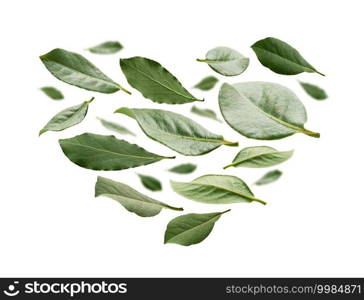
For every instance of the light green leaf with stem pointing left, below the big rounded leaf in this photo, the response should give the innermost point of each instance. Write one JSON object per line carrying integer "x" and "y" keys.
{"x": 259, "y": 157}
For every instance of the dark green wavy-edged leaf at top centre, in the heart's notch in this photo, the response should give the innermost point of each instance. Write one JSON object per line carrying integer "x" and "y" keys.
{"x": 154, "y": 81}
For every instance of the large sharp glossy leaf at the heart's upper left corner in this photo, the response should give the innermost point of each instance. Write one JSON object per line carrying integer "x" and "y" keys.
{"x": 76, "y": 70}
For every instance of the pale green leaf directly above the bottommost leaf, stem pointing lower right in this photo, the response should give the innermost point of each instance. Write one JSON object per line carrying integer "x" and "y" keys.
{"x": 215, "y": 189}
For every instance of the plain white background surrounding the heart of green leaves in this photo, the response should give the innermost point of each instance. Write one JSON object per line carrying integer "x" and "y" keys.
{"x": 50, "y": 222}
